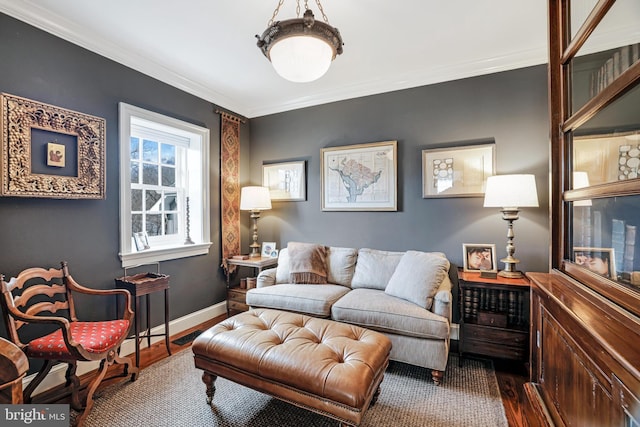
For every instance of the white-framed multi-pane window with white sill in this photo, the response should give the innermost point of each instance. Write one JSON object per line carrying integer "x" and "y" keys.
{"x": 164, "y": 187}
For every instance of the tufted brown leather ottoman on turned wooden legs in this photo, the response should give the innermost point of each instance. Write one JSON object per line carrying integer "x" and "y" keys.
{"x": 324, "y": 366}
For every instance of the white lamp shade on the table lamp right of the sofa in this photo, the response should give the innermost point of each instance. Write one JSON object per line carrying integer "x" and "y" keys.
{"x": 511, "y": 191}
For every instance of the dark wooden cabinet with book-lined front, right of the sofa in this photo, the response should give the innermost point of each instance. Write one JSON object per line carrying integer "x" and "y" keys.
{"x": 494, "y": 316}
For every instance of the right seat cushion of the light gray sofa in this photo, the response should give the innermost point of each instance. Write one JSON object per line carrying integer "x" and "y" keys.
{"x": 376, "y": 310}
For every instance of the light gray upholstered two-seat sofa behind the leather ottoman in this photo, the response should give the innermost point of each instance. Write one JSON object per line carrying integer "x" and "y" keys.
{"x": 405, "y": 295}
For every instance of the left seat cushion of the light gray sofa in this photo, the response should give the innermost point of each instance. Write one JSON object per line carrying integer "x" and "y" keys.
{"x": 315, "y": 300}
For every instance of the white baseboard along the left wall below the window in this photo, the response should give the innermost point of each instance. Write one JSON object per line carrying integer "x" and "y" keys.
{"x": 56, "y": 375}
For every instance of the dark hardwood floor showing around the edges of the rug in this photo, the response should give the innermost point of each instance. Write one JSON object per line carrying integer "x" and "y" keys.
{"x": 511, "y": 376}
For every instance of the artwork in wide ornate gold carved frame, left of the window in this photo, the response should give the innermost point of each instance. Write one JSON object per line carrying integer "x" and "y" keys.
{"x": 49, "y": 151}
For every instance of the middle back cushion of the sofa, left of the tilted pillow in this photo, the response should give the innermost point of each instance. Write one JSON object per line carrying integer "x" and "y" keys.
{"x": 374, "y": 268}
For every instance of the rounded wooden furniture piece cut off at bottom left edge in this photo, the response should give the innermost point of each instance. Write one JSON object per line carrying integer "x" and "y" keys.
{"x": 13, "y": 367}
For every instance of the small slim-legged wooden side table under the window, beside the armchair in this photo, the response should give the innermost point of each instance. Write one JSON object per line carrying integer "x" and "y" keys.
{"x": 140, "y": 285}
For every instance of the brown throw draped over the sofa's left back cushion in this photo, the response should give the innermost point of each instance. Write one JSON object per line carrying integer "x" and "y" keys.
{"x": 307, "y": 263}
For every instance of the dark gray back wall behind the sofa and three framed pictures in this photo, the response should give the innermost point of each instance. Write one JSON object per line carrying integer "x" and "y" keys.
{"x": 508, "y": 107}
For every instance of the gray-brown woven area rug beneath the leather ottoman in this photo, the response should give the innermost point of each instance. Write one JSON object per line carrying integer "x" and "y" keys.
{"x": 171, "y": 393}
